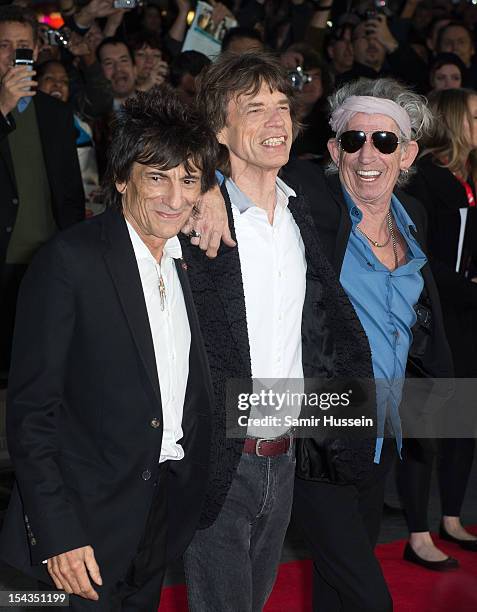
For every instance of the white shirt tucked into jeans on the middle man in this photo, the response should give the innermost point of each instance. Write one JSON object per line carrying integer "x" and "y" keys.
{"x": 272, "y": 259}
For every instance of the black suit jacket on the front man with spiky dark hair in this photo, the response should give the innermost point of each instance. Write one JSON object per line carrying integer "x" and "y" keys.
{"x": 83, "y": 393}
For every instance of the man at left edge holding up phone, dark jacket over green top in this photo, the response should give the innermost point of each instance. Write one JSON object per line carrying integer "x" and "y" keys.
{"x": 39, "y": 172}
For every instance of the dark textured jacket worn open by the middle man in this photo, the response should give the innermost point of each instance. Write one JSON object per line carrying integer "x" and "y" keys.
{"x": 334, "y": 342}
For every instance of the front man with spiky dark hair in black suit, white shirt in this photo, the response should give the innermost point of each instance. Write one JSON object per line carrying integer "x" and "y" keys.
{"x": 109, "y": 392}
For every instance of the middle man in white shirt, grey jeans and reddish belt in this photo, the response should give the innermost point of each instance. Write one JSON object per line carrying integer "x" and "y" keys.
{"x": 250, "y": 303}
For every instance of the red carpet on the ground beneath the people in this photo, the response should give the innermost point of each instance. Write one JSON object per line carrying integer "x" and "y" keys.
{"x": 413, "y": 589}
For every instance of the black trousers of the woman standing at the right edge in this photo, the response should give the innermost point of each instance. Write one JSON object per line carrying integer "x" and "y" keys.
{"x": 454, "y": 464}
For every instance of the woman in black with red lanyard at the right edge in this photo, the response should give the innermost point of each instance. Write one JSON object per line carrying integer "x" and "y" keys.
{"x": 445, "y": 184}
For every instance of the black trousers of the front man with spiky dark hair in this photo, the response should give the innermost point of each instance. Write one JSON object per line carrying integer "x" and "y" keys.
{"x": 140, "y": 590}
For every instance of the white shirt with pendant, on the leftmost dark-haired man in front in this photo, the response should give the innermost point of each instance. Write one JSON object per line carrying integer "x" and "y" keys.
{"x": 170, "y": 335}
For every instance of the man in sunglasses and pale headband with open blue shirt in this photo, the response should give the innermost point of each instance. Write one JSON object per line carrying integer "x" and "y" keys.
{"x": 374, "y": 235}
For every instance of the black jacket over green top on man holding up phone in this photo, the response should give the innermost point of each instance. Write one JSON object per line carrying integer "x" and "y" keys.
{"x": 58, "y": 137}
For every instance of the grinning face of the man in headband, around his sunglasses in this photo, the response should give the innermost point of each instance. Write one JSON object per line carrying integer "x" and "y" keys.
{"x": 369, "y": 175}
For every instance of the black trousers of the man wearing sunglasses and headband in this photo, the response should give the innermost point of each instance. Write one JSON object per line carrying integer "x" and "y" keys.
{"x": 341, "y": 526}
